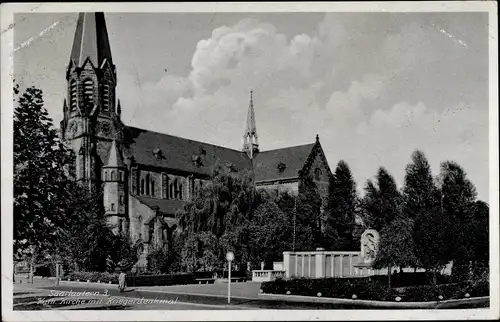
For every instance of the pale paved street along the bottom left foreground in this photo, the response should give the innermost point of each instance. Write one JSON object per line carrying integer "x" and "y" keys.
{"x": 181, "y": 297}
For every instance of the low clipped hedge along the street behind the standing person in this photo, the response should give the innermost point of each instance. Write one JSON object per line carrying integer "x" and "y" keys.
{"x": 133, "y": 280}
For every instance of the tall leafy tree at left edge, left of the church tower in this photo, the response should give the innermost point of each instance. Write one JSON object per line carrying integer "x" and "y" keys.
{"x": 39, "y": 178}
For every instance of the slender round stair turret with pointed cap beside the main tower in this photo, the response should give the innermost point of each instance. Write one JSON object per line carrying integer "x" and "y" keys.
{"x": 114, "y": 194}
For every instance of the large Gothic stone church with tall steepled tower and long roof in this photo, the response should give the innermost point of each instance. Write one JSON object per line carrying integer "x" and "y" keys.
{"x": 146, "y": 176}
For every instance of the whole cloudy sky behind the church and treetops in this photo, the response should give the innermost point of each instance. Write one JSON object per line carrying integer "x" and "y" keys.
{"x": 374, "y": 86}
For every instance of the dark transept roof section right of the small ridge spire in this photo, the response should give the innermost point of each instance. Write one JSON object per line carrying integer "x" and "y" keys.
{"x": 281, "y": 164}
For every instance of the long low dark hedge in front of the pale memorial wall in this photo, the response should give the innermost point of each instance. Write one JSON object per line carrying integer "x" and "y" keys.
{"x": 371, "y": 289}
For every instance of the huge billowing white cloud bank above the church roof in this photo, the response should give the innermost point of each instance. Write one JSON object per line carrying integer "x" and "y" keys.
{"x": 371, "y": 108}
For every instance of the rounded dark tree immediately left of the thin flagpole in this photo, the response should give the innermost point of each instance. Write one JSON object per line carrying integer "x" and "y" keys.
{"x": 270, "y": 233}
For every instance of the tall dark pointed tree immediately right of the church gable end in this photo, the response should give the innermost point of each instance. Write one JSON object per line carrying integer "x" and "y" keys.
{"x": 341, "y": 210}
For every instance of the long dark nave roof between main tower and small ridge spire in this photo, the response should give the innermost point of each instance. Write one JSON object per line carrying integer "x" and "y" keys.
{"x": 172, "y": 152}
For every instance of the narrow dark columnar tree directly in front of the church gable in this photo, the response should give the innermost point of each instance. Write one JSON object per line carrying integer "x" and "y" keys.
{"x": 307, "y": 219}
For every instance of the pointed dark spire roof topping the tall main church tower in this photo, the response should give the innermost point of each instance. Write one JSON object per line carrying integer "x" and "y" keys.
{"x": 91, "y": 40}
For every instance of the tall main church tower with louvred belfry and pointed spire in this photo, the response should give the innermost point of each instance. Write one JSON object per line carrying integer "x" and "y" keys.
{"x": 91, "y": 118}
